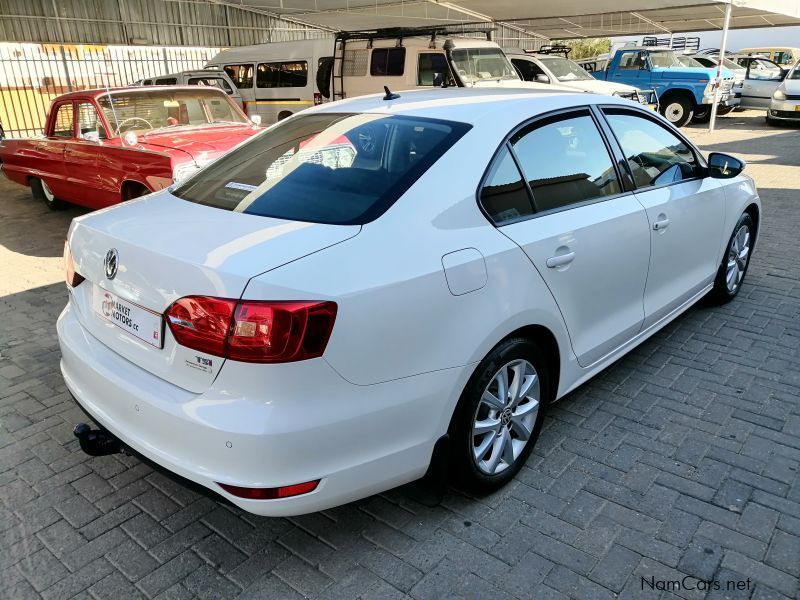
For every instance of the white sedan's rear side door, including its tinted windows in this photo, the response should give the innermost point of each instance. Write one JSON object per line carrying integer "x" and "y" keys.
{"x": 587, "y": 238}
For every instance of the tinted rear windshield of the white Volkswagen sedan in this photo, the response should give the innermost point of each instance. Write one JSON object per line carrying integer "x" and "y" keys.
{"x": 344, "y": 169}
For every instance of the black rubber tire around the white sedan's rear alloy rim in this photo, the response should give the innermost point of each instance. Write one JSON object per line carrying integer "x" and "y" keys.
{"x": 466, "y": 470}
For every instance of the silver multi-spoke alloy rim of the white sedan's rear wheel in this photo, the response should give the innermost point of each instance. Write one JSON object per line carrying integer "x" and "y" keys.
{"x": 505, "y": 417}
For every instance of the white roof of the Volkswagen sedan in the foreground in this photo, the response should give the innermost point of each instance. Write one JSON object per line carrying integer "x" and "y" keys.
{"x": 470, "y": 105}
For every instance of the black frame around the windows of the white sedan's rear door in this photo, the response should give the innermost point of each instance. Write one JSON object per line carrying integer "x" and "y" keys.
{"x": 527, "y": 126}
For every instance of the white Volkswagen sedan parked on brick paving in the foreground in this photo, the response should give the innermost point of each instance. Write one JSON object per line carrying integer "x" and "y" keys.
{"x": 301, "y": 323}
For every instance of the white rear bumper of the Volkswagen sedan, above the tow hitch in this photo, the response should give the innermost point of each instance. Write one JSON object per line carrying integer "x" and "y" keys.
{"x": 265, "y": 425}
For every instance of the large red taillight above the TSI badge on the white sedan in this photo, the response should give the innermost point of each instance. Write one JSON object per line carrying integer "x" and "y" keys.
{"x": 252, "y": 331}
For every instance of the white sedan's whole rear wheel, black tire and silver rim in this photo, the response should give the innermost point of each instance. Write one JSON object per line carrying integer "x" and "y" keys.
{"x": 499, "y": 416}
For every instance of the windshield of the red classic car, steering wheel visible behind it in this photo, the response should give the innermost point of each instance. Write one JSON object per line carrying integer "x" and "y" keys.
{"x": 145, "y": 111}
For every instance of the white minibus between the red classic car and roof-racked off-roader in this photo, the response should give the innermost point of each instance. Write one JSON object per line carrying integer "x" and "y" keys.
{"x": 276, "y": 80}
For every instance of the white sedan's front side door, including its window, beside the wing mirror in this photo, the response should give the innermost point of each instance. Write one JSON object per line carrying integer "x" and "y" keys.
{"x": 685, "y": 209}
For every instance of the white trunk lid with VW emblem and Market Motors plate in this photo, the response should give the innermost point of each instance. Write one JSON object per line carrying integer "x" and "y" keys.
{"x": 168, "y": 248}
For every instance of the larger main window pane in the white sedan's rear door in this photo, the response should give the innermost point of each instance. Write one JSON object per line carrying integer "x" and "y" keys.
{"x": 566, "y": 162}
